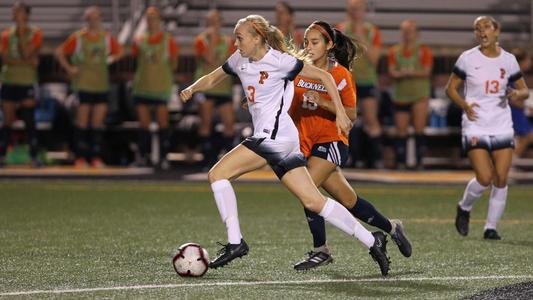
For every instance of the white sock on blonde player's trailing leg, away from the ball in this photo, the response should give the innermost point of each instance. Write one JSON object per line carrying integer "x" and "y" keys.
{"x": 338, "y": 216}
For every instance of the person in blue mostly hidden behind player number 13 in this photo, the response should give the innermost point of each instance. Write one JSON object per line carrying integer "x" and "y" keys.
{"x": 521, "y": 123}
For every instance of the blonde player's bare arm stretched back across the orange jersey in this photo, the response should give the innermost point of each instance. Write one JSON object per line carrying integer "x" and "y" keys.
{"x": 342, "y": 120}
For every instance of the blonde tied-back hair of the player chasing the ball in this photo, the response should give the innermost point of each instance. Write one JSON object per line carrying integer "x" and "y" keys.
{"x": 271, "y": 35}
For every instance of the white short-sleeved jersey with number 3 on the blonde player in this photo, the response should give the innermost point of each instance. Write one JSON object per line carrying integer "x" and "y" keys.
{"x": 269, "y": 89}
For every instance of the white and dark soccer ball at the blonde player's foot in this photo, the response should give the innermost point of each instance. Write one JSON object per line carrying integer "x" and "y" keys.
{"x": 191, "y": 260}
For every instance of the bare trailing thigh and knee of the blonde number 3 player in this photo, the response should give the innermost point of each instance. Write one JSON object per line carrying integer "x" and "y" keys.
{"x": 299, "y": 182}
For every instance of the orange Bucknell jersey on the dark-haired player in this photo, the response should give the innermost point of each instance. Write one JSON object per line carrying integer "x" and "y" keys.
{"x": 317, "y": 125}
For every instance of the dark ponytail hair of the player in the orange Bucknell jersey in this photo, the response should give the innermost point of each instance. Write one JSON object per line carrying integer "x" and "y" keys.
{"x": 345, "y": 49}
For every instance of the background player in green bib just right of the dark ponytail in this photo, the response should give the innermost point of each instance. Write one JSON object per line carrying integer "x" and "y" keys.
{"x": 366, "y": 78}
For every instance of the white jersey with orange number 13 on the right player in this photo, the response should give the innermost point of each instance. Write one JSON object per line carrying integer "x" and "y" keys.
{"x": 486, "y": 81}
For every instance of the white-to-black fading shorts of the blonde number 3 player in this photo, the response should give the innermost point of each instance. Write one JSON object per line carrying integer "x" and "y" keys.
{"x": 282, "y": 156}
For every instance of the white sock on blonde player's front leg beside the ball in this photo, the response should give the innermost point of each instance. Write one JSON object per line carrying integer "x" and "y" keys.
{"x": 227, "y": 207}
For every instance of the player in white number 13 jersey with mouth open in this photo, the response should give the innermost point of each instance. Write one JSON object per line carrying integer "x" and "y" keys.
{"x": 487, "y": 127}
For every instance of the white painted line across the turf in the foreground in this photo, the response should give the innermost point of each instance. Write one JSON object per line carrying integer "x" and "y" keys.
{"x": 258, "y": 283}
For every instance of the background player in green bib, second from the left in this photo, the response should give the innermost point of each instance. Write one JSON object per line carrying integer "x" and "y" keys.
{"x": 91, "y": 50}
